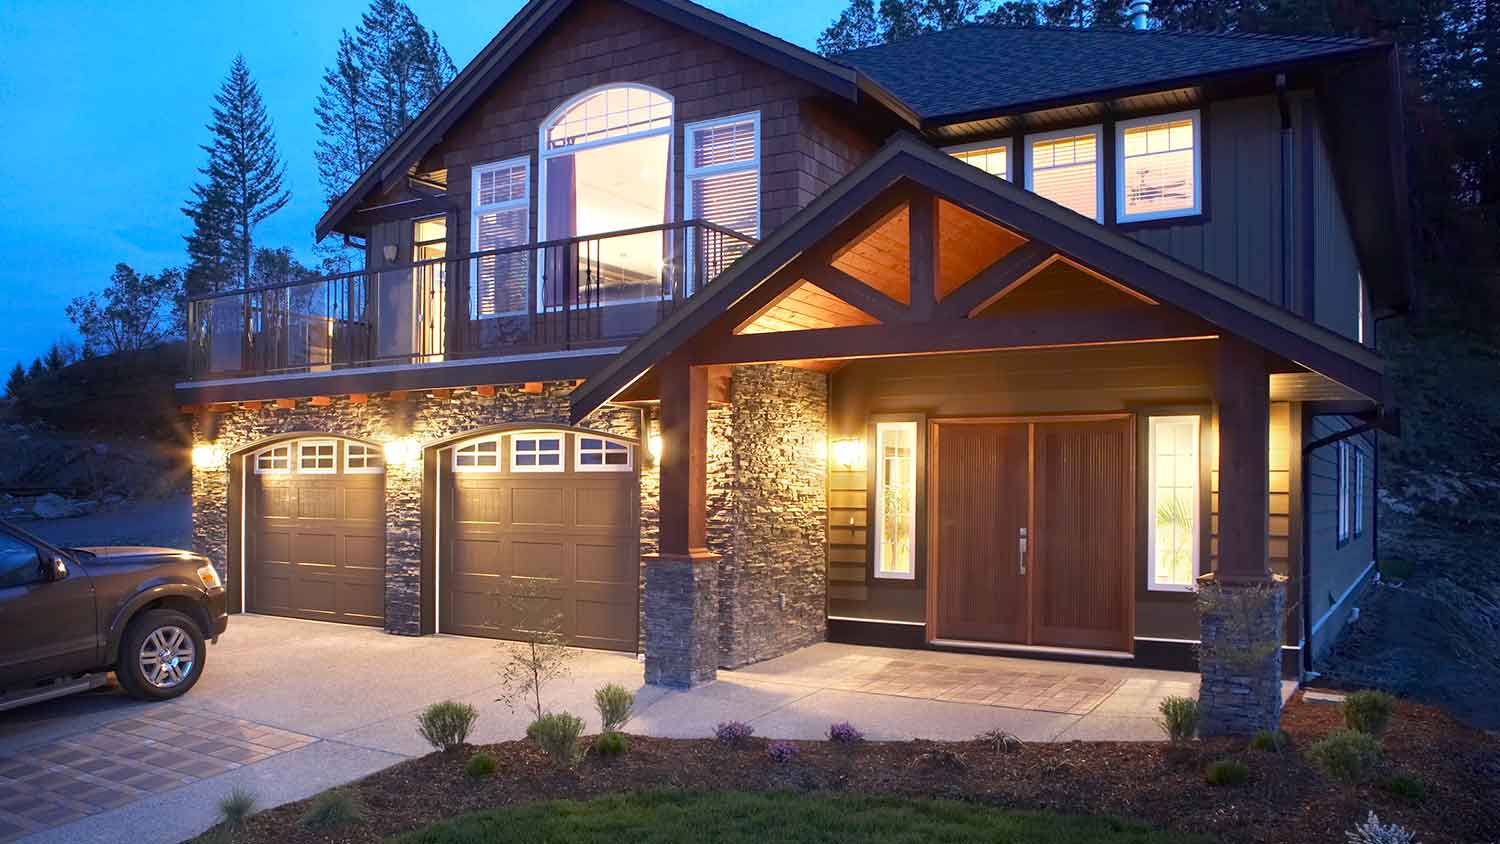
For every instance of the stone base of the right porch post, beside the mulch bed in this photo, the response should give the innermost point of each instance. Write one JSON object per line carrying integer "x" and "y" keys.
{"x": 1241, "y": 656}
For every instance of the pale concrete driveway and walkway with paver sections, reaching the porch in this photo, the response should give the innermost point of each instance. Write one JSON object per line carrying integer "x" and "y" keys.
{"x": 289, "y": 708}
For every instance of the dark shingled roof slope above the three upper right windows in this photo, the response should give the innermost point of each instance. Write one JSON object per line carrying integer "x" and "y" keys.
{"x": 985, "y": 70}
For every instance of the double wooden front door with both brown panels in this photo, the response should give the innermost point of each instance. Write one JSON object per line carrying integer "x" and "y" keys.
{"x": 1033, "y": 531}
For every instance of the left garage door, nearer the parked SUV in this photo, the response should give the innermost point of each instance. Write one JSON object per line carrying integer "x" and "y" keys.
{"x": 317, "y": 531}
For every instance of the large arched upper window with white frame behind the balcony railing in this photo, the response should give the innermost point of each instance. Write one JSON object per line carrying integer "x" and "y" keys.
{"x": 607, "y": 167}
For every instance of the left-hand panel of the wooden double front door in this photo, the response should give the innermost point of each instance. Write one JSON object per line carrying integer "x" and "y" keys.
{"x": 982, "y": 506}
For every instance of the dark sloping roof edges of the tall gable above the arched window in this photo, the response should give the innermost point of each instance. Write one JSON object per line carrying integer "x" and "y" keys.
{"x": 530, "y": 23}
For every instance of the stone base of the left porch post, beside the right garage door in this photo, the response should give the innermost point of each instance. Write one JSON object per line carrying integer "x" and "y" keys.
{"x": 682, "y": 626}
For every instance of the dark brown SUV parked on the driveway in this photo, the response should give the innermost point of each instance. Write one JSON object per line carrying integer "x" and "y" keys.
{"x": 68, "y": 617}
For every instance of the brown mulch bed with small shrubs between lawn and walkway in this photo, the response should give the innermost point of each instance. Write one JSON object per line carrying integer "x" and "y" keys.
{"x": 1285, "y": 801}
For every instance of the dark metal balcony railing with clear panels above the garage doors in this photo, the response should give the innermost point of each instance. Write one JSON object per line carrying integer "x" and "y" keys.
{"x": 581, "y": 293}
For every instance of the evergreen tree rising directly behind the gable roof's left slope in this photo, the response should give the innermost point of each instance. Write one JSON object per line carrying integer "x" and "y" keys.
{"x": 382, "y": 79}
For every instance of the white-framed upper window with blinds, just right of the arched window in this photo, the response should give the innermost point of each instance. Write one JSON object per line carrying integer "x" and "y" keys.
{"x": 724, "y": 185}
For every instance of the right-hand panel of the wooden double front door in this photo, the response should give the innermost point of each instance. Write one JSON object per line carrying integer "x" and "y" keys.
{"x": 1085, "y": 539}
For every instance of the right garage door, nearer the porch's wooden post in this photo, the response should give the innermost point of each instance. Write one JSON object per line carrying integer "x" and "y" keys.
{"x": 542, "y": 533}
